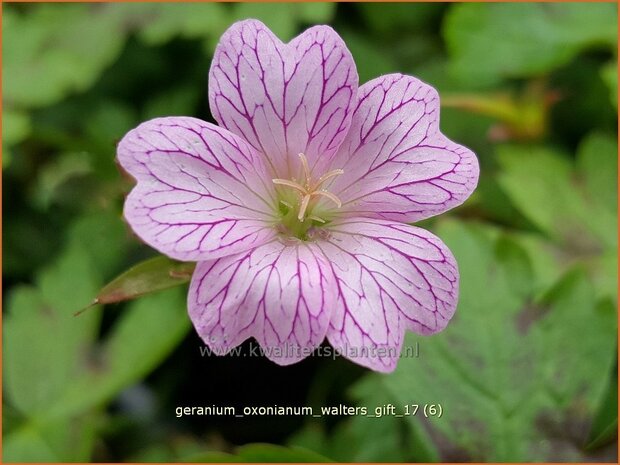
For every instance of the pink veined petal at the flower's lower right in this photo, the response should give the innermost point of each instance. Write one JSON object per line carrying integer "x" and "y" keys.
{"x": 390, "y": 277}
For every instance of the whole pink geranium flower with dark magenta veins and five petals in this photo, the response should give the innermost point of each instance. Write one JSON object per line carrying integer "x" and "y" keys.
{"x": 296, "y": 207}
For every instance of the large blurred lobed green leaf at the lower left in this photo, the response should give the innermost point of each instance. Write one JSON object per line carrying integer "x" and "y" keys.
{"x": 55, "y": 376}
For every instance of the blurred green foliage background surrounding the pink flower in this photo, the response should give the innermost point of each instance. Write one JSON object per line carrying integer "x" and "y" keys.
{"x": 522, "y": 372}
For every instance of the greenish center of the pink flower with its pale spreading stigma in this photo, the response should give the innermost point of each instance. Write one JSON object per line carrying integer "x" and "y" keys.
{"x": 307, "y": 193}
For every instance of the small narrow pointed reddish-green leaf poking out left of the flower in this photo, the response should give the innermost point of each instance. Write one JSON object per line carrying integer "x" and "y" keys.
{"x": 149, "y": 276}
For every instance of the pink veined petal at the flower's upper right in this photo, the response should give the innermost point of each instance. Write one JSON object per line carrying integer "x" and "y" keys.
{"x": 397, "y": 165}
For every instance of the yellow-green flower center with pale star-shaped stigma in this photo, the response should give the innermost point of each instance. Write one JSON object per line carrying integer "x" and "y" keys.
{"x": 299, "y": 203}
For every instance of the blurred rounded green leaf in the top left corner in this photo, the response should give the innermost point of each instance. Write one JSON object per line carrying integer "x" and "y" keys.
{"x": 50, "y": 51}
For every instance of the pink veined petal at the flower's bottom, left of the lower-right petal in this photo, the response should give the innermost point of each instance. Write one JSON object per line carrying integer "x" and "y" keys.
{"x": 279, "y": 294}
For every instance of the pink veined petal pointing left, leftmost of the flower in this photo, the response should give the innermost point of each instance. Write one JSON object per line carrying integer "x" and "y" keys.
{"x": 202, "y": 192}
